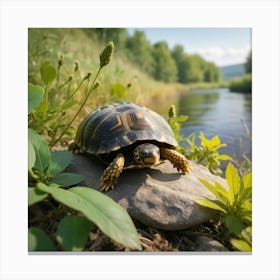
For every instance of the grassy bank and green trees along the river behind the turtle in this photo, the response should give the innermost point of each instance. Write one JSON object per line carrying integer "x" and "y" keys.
{"x": 124, "y": 79}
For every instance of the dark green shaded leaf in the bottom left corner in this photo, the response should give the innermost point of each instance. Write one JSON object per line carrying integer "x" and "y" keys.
{"x": 38, "y": 240}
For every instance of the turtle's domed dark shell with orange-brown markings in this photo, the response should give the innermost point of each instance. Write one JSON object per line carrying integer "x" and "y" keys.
{"x": 114, "y": 127}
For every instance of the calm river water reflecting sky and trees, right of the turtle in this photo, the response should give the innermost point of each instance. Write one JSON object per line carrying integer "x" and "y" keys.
{"x": 218, "y": 112}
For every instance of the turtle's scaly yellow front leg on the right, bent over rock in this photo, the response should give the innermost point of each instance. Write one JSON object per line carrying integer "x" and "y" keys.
{"x": 178, "y": 160}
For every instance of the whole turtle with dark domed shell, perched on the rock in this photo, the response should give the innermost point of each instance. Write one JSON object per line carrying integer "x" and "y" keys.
{"x": 127, "y": 136}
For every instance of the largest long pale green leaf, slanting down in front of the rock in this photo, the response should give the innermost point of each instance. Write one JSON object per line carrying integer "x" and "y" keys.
{"x": 108, "y": 215}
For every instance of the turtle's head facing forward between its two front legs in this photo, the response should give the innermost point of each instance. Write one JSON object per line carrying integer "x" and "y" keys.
{"x": 147, "y": 154}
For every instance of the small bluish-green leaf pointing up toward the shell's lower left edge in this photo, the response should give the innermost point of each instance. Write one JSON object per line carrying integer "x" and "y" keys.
{"x": 59, "y": 161}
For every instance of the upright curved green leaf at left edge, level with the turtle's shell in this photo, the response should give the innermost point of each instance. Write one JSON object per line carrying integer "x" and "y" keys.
{"x": 41, "y": 150}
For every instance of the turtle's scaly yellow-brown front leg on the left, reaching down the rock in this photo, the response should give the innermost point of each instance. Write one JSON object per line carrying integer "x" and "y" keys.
{"x": 112, "y": 173}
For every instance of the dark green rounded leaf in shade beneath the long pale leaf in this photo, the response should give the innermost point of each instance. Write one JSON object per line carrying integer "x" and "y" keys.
{"x": 72, "y": 232}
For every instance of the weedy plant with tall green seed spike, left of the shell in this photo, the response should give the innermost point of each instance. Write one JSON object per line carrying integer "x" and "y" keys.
{"x": 50, "y": 118}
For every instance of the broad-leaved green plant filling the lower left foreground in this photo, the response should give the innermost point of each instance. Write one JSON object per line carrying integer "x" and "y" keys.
{"x": 47, "y": 178}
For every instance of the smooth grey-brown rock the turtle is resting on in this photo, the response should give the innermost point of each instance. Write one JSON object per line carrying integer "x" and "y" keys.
{"x": 159, "y": 196}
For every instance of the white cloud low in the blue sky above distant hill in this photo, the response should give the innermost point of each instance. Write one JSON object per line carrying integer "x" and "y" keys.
{"x": 223, "y": 56}
